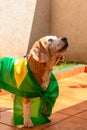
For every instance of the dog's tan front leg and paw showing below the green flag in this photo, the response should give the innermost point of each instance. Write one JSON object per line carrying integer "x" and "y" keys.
{"x": 26, "y": 110}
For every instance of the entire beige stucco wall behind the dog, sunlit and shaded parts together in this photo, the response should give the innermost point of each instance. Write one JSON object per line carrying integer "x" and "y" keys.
{"x": 24, "y": 21}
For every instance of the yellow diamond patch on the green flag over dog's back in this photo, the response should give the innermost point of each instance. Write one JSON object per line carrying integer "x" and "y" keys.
{"x": 20, "y": 70}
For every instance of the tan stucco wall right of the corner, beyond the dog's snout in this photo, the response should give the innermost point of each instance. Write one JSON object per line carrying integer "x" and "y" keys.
{"x": 69, "y": 18}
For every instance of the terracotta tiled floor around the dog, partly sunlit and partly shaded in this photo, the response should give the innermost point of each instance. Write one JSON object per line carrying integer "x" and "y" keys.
{"x": 70, "y": 110}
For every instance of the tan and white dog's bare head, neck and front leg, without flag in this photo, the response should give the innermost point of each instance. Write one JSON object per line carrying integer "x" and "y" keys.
{"x": 45, "y": 53}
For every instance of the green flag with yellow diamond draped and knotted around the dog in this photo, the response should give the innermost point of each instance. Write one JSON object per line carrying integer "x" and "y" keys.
{"x": 17, "y": 78}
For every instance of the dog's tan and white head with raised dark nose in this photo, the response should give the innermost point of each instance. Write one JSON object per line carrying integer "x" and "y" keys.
{"x": 49, "y": 47}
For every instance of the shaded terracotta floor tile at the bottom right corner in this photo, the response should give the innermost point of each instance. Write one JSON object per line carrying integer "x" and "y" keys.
{"x": 72, "y": 123}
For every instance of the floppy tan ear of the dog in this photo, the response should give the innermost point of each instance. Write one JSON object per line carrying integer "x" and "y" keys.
{"x": 39, "y": 52}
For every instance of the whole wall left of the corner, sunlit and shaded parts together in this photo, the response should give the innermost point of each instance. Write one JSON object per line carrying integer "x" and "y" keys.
{"x": 22, "y": 22}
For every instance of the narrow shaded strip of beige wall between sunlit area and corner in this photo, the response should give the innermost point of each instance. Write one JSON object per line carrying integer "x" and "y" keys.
{"x": 41, "y": 21}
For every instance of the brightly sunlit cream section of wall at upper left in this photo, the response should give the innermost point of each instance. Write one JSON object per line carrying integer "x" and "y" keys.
{"x": 16, "y": 18}
